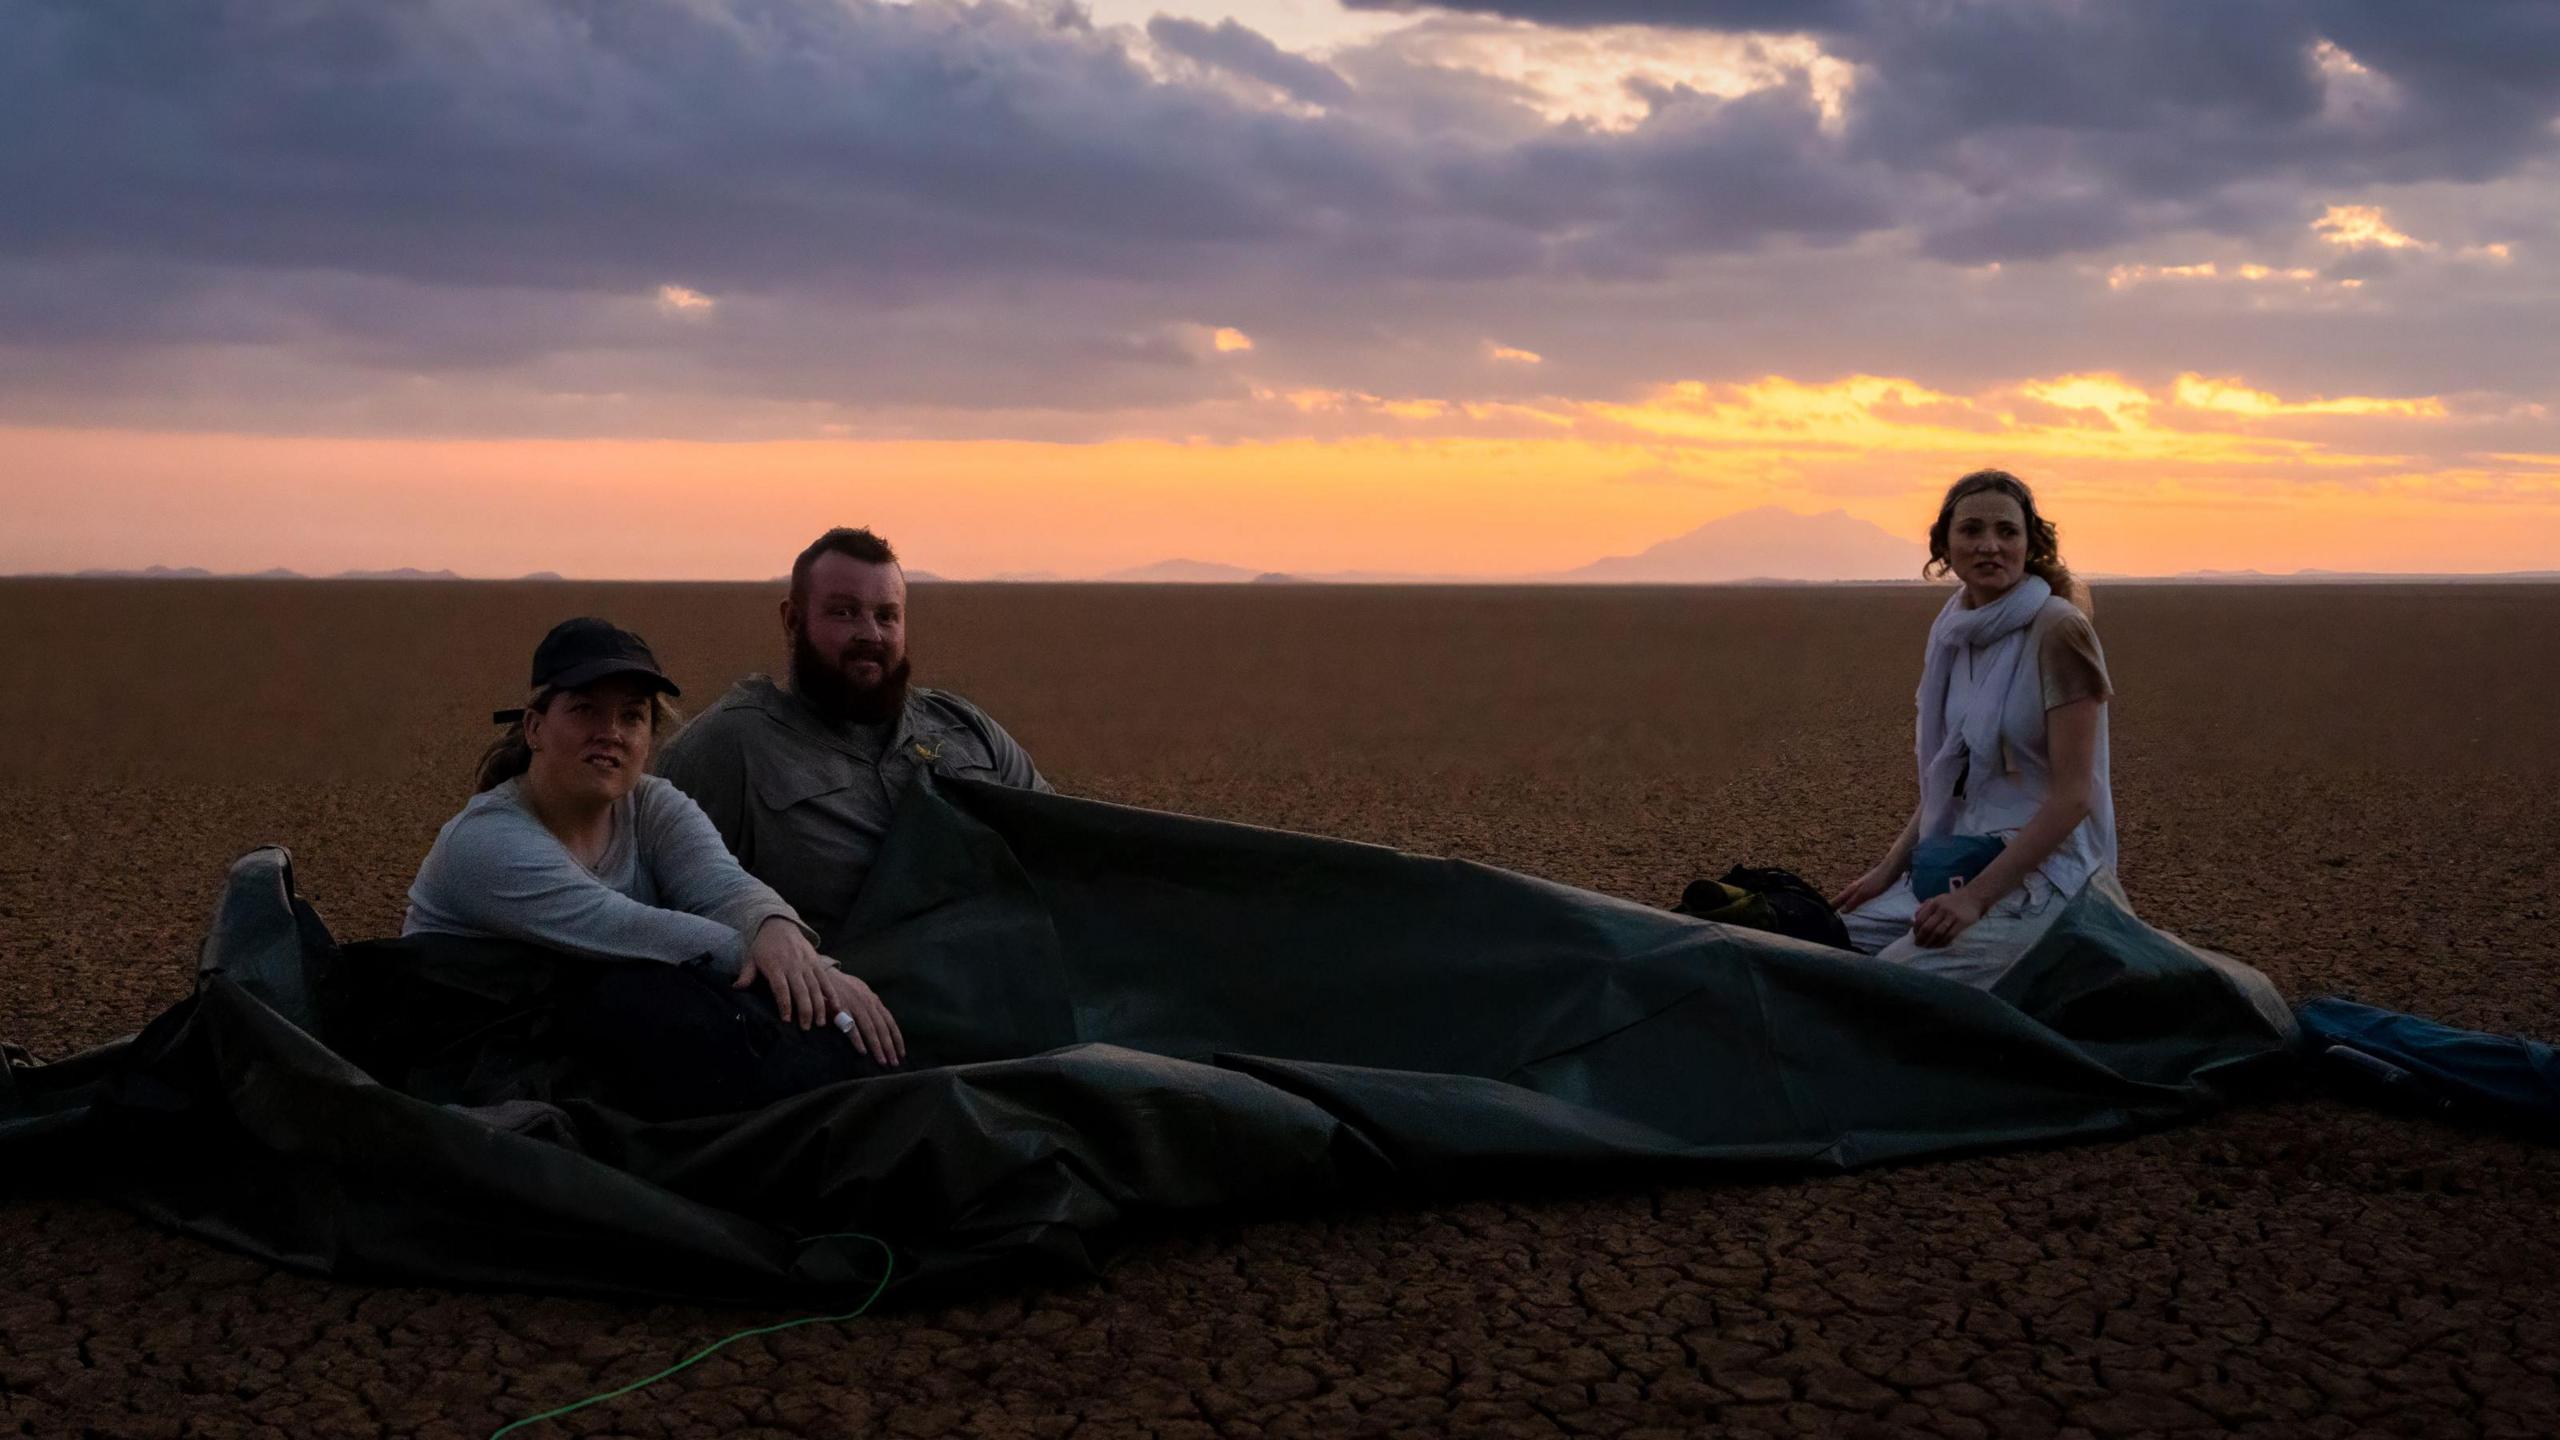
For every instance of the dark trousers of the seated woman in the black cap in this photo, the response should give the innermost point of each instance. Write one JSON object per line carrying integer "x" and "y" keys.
{"x": 680, "y": 1042}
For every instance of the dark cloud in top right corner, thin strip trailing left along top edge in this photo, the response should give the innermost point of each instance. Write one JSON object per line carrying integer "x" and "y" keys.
{"x": 2034, "y": 104}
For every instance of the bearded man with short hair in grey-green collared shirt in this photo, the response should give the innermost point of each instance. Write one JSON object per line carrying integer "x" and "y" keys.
{"x": 803, "y": 780}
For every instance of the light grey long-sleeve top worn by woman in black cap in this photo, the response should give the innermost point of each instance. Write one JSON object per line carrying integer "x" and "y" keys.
{"x": 664, "y": 890}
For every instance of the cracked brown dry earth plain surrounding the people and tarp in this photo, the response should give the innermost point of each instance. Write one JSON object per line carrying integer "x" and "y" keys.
{"x": 2346, "y": 788}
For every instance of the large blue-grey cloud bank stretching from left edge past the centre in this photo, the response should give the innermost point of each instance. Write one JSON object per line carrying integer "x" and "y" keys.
{"x": 861, "y": 152}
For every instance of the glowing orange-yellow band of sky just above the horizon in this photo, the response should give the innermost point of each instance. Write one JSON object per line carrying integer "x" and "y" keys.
{"x": 2149, "y": 478}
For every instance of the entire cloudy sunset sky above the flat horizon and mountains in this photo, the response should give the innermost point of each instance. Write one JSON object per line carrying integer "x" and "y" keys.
{"x": 662, "y": 288}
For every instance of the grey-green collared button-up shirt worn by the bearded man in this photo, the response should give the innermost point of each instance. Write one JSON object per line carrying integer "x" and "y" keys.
{"x": 805, "y": 803}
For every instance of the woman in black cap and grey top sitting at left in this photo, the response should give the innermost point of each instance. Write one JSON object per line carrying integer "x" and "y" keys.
{"x": 575, "y": 847}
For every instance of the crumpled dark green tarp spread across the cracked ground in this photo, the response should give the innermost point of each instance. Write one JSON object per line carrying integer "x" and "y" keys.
{"x": 1135, "y": 1016}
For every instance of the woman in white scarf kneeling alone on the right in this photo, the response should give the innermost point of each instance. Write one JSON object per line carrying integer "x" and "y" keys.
{"x": 2016, "y": 811}
